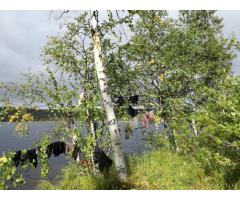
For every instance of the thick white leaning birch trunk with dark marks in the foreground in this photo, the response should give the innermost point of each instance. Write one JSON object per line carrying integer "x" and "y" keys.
{"x": 108, "y": 105}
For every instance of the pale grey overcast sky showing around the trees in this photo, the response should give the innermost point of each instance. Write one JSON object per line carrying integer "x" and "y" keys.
{"x": 23, "y": 34}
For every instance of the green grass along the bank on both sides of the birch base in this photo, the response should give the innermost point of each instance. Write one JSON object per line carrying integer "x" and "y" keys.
{"x": 156, "y": 170}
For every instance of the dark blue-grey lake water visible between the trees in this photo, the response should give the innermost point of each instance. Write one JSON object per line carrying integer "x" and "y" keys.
{"x": 10, "y": 141}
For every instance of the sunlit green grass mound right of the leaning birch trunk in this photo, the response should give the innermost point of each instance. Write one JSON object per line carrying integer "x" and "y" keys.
{"x": 163, "y": 170}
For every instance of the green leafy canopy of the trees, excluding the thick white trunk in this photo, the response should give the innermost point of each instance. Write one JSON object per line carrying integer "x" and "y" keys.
{"x": 180, "y": 68}
